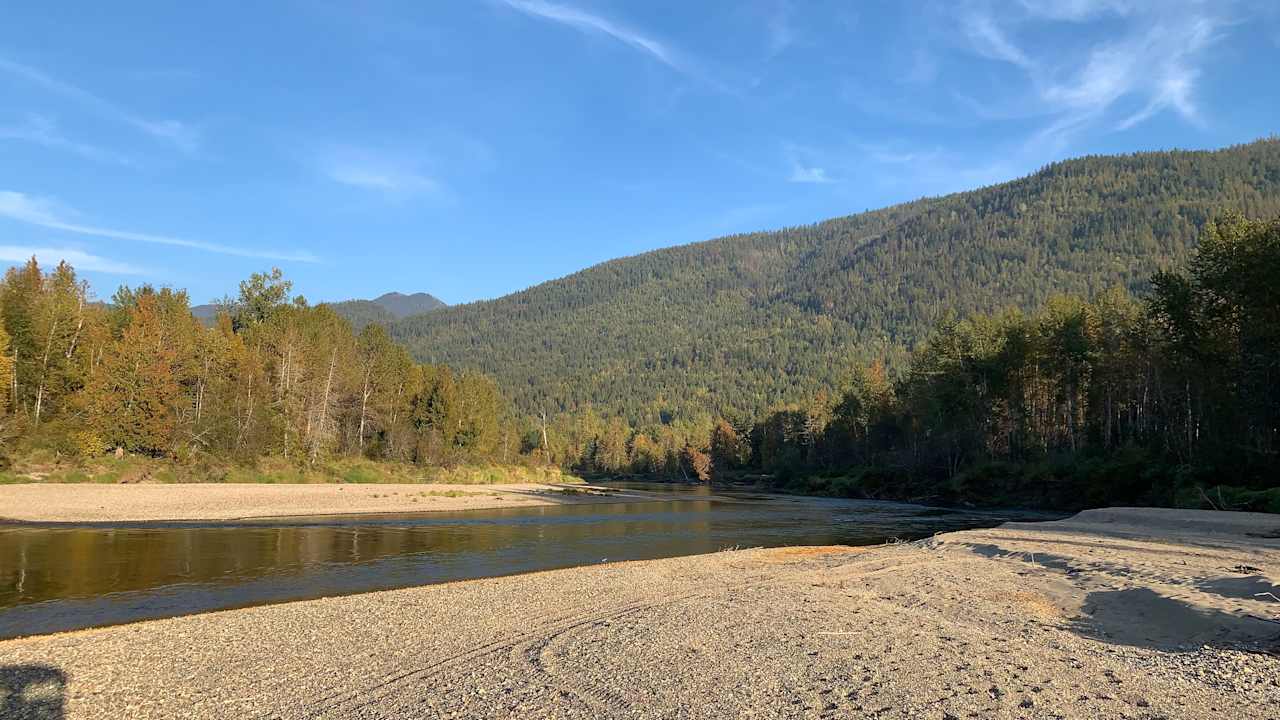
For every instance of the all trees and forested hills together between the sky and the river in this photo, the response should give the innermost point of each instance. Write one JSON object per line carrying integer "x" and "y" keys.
{"x": 1104, "y": 332}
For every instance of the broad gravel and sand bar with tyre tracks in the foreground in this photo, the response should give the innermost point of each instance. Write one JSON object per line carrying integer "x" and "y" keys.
{"x": 1110, "y": 614}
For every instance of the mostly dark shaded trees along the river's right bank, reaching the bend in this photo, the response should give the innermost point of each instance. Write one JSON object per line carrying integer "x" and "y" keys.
{"x": 1172, "y": 399}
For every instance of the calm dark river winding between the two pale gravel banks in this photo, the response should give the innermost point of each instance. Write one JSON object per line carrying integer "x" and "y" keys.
{"x": 68, "y": 577}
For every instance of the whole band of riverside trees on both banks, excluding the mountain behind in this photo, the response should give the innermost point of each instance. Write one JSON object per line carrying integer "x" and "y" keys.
{"x": 1168, "y": 398}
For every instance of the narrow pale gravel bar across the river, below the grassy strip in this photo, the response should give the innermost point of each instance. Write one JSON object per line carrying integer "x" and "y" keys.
{"x": 45, "y": 503}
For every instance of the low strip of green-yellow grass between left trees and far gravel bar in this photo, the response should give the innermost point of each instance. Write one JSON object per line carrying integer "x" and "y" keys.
{"x": 48, "y": 468}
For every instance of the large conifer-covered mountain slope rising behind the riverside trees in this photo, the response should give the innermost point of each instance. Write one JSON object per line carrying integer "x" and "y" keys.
{"x": 746, "y": 323}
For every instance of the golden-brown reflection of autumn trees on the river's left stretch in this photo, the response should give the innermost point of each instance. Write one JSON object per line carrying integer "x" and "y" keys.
{"x": 49, "y": 564}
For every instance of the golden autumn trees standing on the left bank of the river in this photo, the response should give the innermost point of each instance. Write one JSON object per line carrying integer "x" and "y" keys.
{"x": 272, "y": 377}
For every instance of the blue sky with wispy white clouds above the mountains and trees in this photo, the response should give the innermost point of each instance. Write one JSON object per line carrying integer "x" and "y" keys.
{"x": 474, "y": 148}
